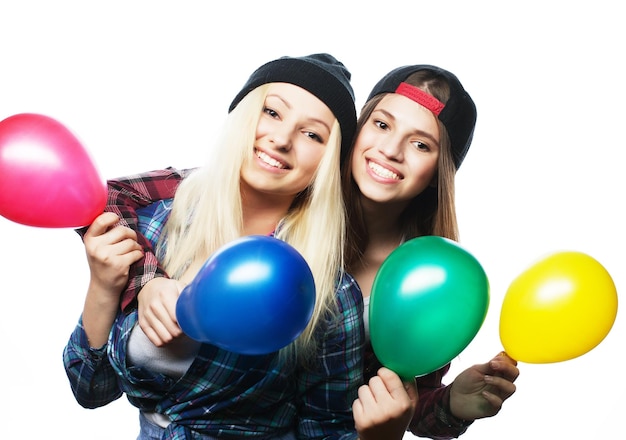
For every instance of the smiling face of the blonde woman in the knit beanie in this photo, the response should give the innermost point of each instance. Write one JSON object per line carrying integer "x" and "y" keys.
{"x": 291, "y": 138}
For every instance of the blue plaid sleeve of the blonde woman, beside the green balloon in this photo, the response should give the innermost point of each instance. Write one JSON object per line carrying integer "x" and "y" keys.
{"x": 329, "y": 390}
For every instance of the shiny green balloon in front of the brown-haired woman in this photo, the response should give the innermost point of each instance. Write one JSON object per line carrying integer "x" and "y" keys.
{"x": 428, "y": 301}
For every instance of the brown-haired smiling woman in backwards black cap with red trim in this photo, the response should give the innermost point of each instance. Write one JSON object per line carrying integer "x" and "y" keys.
{"x": 412, "y": 135}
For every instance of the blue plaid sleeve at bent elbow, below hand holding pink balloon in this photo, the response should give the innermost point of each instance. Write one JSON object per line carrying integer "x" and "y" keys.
{"x": 92, "y": 378}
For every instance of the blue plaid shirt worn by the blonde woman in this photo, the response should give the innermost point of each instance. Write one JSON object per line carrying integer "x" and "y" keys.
{"x": 228, "y": 395}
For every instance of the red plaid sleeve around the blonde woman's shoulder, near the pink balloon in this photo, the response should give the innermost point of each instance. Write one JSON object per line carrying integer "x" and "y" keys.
{"x": 125, "y": 196}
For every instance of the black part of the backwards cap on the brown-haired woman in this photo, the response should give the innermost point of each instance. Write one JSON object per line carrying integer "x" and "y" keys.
{"x": 458, "y": 114}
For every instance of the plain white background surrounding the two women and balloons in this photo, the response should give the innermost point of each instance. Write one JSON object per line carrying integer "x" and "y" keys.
{"x": 145, "y": 84}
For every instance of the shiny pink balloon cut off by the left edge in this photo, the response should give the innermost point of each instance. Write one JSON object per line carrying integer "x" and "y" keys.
{"x": 47, "y": 178}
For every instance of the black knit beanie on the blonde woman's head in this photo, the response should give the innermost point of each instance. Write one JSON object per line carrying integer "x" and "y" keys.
{"x": 322, "y": 75}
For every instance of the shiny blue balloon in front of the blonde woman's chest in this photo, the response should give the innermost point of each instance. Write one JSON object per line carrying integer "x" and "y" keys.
{"x": 253, "y": 296}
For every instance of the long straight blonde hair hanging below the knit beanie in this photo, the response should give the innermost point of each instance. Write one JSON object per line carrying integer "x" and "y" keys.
{"x": 207, "y": 212}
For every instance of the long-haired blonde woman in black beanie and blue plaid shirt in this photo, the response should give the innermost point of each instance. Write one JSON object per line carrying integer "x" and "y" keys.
{"x": 274, "y": 171}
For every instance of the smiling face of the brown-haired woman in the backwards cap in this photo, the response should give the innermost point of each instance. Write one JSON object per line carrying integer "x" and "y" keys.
{"x": 396, "y": 152}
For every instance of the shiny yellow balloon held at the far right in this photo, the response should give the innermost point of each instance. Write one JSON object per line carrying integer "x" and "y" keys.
{"x": 558, "y": 309}
